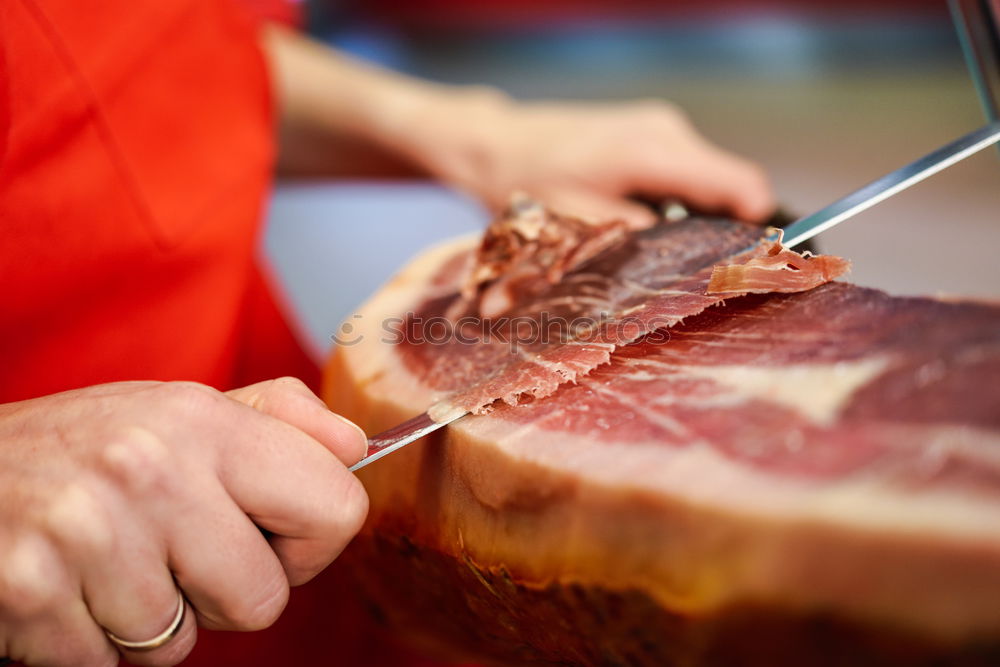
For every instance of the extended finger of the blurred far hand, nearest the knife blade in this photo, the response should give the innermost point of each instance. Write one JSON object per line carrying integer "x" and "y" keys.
{"x": 706, "y": 177}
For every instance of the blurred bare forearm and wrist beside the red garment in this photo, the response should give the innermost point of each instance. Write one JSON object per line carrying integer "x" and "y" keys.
{"x": 450, "y": 132}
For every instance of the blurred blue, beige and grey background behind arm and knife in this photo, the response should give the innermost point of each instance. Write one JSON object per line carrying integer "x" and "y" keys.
{"x": 826, "y": 95}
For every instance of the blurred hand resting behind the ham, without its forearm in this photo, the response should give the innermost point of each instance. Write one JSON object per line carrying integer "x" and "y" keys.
{"x": 583, "y": 159}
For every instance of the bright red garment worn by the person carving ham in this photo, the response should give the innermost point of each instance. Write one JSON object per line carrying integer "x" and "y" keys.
{"x": 135, "y": 152}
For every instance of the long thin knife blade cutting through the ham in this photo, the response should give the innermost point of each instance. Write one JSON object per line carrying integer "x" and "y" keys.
{"x": 794, "y": 234}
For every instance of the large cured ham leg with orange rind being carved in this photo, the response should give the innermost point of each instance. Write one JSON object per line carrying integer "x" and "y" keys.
{"x": 806, "y": 478}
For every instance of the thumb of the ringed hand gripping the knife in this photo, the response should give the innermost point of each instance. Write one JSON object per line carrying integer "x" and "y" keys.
{"x": 289, "y": 400}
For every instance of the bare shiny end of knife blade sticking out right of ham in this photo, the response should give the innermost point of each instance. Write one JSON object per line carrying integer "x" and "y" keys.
{"x": 890, "y": 184}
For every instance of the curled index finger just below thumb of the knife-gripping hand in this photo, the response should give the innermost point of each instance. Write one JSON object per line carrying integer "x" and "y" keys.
{"x": 290, "y": 485}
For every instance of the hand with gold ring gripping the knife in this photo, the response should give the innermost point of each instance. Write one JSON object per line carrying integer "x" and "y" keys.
{"x": 114, "y": 495}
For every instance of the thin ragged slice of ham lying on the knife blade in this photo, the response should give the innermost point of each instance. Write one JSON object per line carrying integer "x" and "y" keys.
{"x": 652, "y": 292}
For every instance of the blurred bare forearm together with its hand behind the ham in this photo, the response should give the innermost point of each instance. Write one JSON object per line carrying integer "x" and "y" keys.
{"x": 343, "y": 117}
